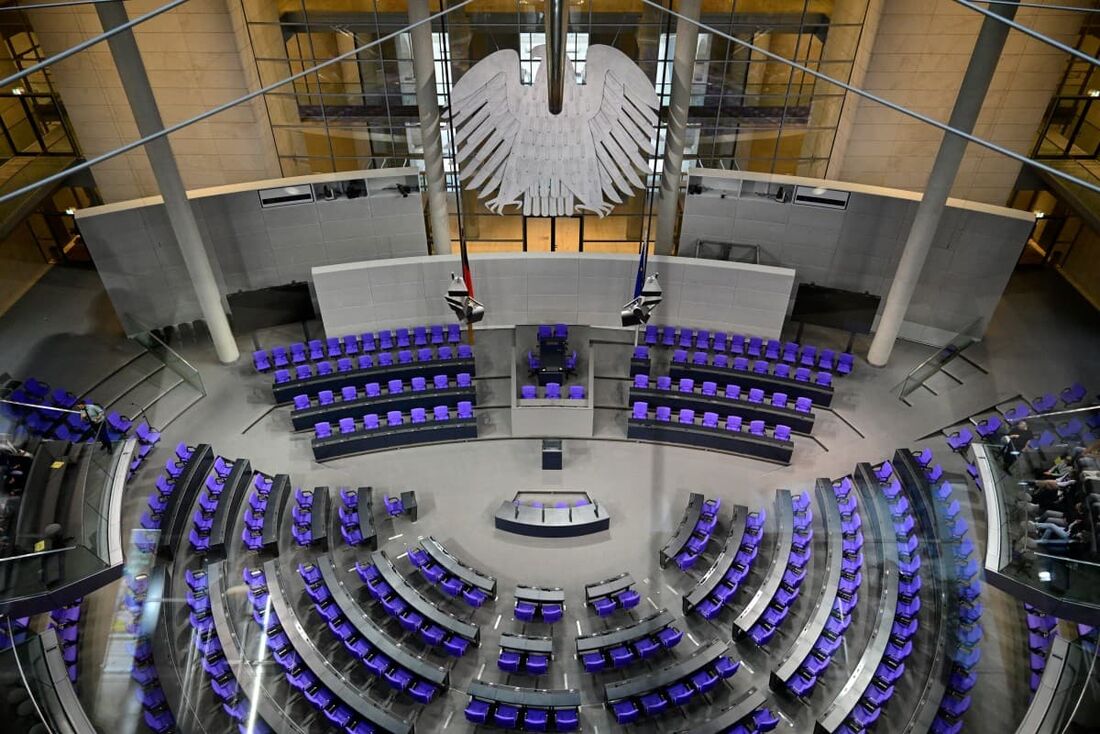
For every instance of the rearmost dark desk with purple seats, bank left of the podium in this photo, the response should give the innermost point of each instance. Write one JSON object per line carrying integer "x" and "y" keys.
{"x": 381, "y": 368}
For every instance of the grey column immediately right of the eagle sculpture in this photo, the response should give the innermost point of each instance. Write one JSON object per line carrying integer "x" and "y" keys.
{"x": 684, "y": 68}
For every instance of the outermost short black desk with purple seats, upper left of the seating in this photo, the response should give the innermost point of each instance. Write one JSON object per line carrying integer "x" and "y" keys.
{"x": 174, "y": 495}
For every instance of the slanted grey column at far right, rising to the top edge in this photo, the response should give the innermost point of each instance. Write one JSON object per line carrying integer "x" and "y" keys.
{"x": 980, "y": 73}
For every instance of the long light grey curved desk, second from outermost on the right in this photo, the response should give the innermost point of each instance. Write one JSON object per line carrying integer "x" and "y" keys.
{"x": 846, "y": 699}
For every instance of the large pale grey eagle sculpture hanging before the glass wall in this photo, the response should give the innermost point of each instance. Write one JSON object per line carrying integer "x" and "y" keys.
{"x": 552, "y": 166}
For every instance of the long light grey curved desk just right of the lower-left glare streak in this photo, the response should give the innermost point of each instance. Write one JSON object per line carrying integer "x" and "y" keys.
{"x": 317, "y": 663}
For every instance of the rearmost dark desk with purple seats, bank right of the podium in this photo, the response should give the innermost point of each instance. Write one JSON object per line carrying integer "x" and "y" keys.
{"x": 794, "y": 385}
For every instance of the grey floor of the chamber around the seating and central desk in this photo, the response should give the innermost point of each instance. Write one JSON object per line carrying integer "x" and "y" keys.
{"x": 1042, "y": 338}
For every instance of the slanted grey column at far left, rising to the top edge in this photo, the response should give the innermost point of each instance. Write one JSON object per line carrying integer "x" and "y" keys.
{"x": 181, "y": 217}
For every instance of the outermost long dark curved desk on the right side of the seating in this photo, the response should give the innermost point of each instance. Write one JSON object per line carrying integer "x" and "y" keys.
{"x": 944, "y": 590}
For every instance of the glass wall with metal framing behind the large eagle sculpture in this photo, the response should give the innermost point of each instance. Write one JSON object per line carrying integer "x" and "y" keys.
{"x": 747, "y": 112}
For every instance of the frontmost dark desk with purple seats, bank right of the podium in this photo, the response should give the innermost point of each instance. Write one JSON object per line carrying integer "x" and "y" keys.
{"x": 710, "y": 434}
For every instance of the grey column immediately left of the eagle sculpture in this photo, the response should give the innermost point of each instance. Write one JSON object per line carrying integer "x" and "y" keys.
{"x": 427, "y": 102}
